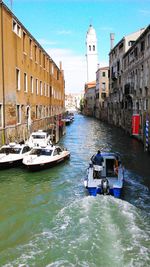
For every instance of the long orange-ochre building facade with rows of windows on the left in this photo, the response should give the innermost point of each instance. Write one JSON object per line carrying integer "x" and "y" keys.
{"x": 31, "y": 84}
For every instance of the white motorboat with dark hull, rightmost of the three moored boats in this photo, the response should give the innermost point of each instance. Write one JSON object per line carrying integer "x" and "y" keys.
{"x": 45, "y": 157}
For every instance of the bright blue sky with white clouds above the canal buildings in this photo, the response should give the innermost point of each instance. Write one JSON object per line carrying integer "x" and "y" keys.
{"x": 60, "y": 26}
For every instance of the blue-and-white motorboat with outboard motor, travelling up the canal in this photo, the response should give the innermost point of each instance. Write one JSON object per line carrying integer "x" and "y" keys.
{"x": 106, "y": 178}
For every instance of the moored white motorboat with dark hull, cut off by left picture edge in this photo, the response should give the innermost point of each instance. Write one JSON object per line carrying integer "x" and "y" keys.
{"x": 11, "y": 155}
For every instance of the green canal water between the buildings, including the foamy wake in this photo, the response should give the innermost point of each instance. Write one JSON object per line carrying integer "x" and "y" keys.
{"x": 47, "y": 218}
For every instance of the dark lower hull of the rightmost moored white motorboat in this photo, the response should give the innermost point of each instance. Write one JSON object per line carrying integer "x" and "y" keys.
{"x": 46, "y": 165}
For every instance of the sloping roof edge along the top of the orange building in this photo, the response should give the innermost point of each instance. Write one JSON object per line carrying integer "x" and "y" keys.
{"x": 25, "y": 29}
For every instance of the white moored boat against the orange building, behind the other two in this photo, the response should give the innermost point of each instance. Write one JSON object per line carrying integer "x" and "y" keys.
{"x": 39, "y": 138}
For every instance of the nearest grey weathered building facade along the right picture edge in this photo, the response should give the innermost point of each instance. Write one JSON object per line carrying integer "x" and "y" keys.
{"x": 136, "y": 82}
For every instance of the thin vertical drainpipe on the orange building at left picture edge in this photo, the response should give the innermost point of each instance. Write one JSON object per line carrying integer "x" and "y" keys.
{"x": 3, "y": 81}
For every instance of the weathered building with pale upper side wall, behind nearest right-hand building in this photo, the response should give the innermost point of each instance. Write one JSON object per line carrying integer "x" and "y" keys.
{"x": 116, "y": 92}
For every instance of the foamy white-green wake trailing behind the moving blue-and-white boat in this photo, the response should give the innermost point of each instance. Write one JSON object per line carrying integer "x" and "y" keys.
{"x": 90, "y": 232}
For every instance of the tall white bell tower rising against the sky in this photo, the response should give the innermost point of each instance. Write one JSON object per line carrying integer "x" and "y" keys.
{"x": 91, "y": 54}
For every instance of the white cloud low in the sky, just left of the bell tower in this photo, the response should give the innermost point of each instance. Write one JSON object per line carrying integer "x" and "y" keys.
{"x": 74, "y": 67}
